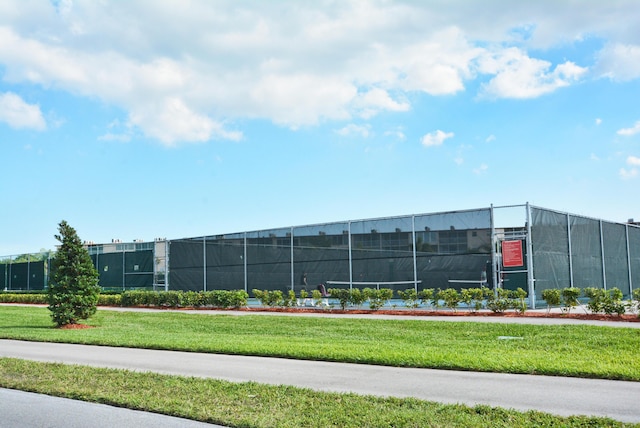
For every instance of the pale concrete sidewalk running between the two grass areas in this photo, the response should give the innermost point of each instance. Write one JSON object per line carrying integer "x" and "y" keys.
{"x": 557, "y": 395}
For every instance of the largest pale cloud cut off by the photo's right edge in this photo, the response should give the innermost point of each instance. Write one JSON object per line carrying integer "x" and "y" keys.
{"x": 619, "y": 62}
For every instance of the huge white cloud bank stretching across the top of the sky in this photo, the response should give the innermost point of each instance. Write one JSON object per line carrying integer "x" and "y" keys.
{"x": 213, "y": 63}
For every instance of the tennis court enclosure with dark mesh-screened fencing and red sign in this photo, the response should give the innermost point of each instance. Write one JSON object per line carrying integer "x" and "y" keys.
{"x": 513, "y": 246}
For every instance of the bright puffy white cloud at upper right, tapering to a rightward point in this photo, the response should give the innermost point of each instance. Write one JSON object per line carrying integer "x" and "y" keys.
{"x": 519, "y": 76}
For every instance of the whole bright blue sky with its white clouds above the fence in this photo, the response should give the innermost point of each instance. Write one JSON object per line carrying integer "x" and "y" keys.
{"x": 145, "y": 119}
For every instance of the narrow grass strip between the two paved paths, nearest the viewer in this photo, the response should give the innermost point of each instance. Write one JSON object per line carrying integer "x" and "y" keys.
{"x": 255, "y": 405}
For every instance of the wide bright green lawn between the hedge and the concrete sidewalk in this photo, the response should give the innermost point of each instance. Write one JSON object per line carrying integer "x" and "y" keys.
{"x": 570, "y": 350}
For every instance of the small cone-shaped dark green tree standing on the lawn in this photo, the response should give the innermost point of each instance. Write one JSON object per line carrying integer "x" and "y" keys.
{"x": 74, "y": 291}
